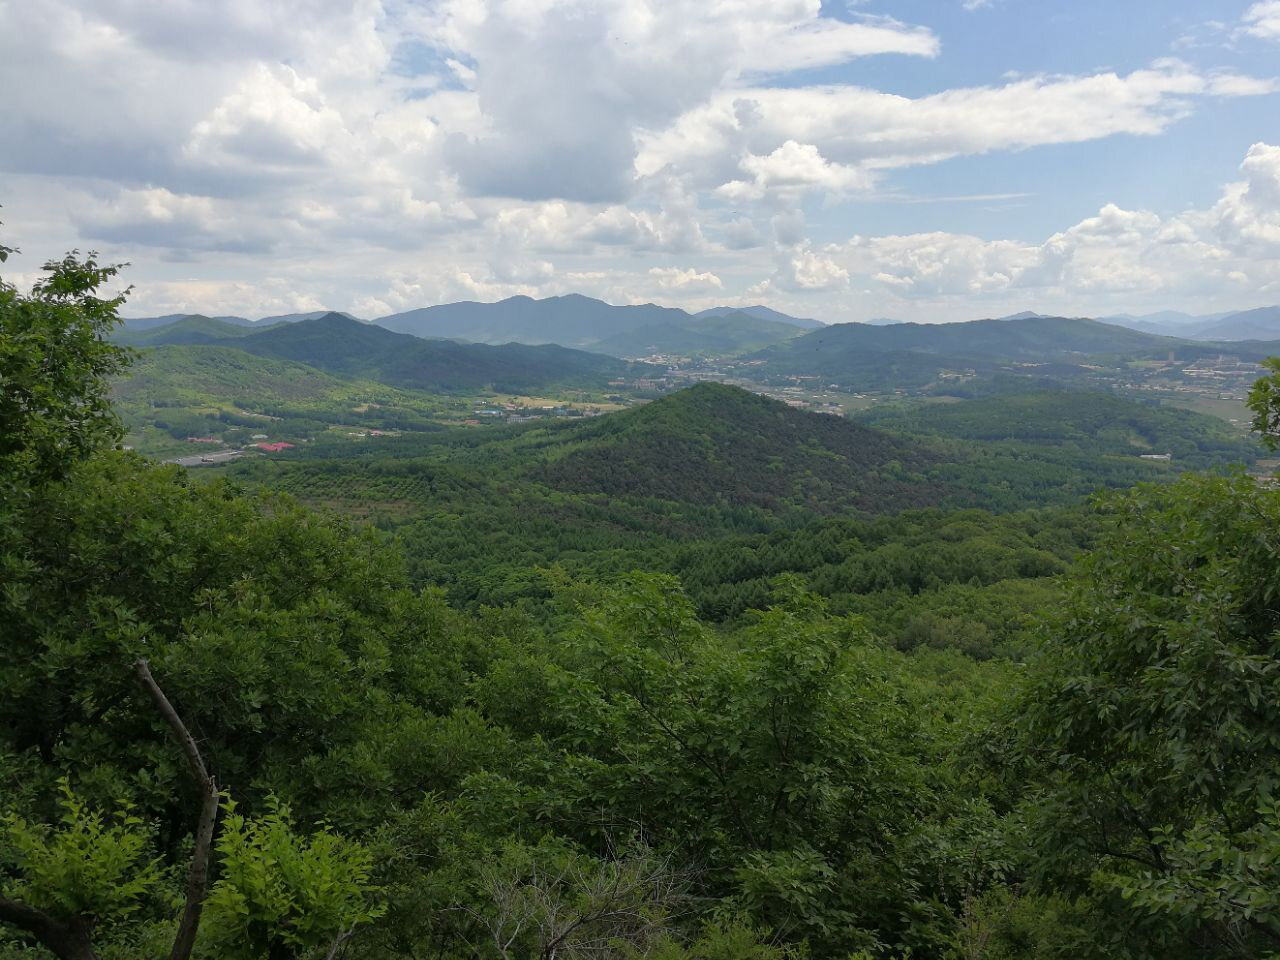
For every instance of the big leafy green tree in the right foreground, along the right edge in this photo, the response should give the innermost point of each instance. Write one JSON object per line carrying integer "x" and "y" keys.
{"x": 1153, "y": 724}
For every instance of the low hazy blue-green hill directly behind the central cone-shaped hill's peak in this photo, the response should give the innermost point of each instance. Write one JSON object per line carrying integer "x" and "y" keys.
{"x": 720, "y": 335}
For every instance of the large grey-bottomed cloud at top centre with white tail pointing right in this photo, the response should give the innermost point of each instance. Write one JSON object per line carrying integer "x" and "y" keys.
{"x": 564, "y": 88}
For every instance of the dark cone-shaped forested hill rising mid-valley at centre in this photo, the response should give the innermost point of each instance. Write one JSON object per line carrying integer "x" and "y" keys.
{"x": 723, "y": 445}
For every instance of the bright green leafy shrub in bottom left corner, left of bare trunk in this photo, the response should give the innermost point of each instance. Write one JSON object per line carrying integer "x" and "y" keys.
{"x": 88, "y": 866}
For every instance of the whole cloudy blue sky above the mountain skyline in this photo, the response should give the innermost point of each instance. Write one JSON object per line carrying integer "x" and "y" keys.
{"x": 929, "y": 161}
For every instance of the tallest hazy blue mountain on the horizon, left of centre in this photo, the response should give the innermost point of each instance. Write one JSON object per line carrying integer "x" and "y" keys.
{"x": 573, "y": 321}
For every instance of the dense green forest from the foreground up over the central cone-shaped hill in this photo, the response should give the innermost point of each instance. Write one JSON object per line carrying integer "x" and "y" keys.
{"x": 999, "y": 732}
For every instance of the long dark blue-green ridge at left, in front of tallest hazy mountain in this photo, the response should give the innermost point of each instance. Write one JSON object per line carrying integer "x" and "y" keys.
{"x": 337, "y": 345}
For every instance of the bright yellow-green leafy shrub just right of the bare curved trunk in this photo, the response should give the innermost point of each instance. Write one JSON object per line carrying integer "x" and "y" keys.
{"x": 278, "y": 890}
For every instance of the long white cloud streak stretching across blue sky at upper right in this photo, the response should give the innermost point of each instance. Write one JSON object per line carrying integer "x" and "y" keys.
{"x": 868, "y": 131}
